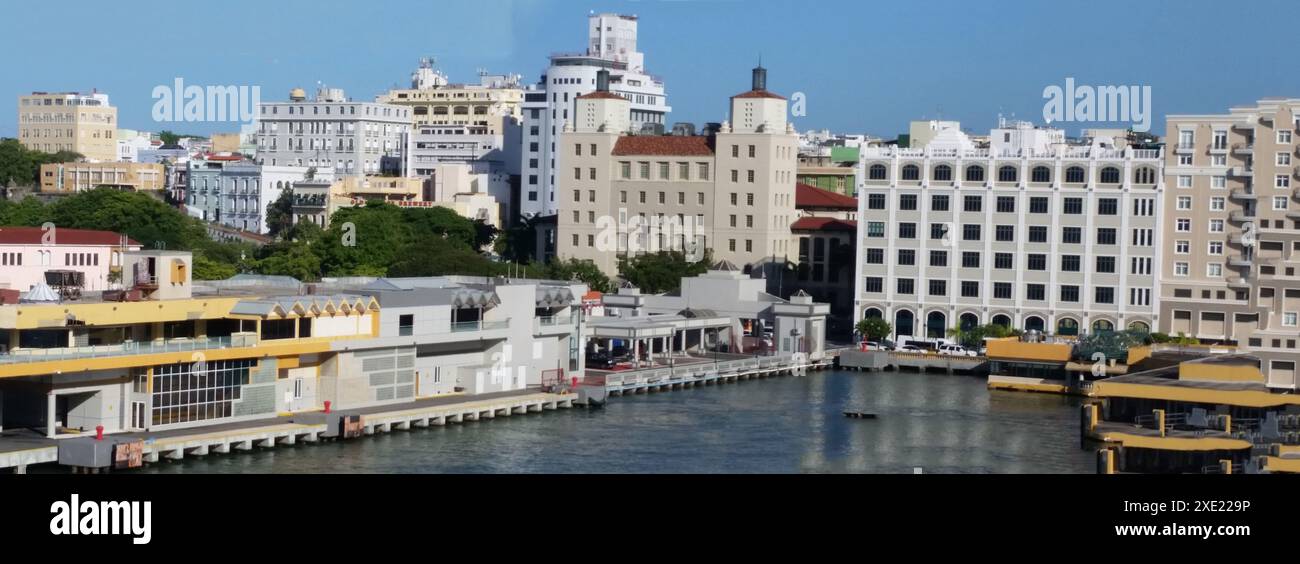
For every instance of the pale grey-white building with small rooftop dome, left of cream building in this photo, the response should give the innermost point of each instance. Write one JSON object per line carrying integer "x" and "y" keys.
{"x": 332, "y": 133}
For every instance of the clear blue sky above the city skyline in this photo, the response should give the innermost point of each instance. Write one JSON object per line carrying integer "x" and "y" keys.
{"x": 865, "y": 67}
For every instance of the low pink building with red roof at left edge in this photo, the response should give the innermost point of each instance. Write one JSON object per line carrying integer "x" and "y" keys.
{"x": 27, "y": 254}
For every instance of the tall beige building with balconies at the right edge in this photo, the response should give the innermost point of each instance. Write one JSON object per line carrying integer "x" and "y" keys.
{"x": 1232, "y": 235}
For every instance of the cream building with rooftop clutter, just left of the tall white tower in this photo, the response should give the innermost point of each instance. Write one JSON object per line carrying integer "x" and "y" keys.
{"x": 491, "y": 106}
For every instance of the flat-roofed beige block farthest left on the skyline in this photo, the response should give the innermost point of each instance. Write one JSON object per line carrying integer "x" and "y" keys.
{"x": 70, "y": 122}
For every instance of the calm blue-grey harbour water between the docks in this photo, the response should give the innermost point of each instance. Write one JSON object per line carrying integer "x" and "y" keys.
{"x": 944, "y": 424}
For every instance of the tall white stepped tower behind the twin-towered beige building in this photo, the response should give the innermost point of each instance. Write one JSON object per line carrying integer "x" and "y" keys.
{"x": 553, "y": 103}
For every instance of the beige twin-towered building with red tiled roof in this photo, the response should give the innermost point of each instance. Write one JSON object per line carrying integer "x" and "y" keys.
{"x": 731, "y": 193}
